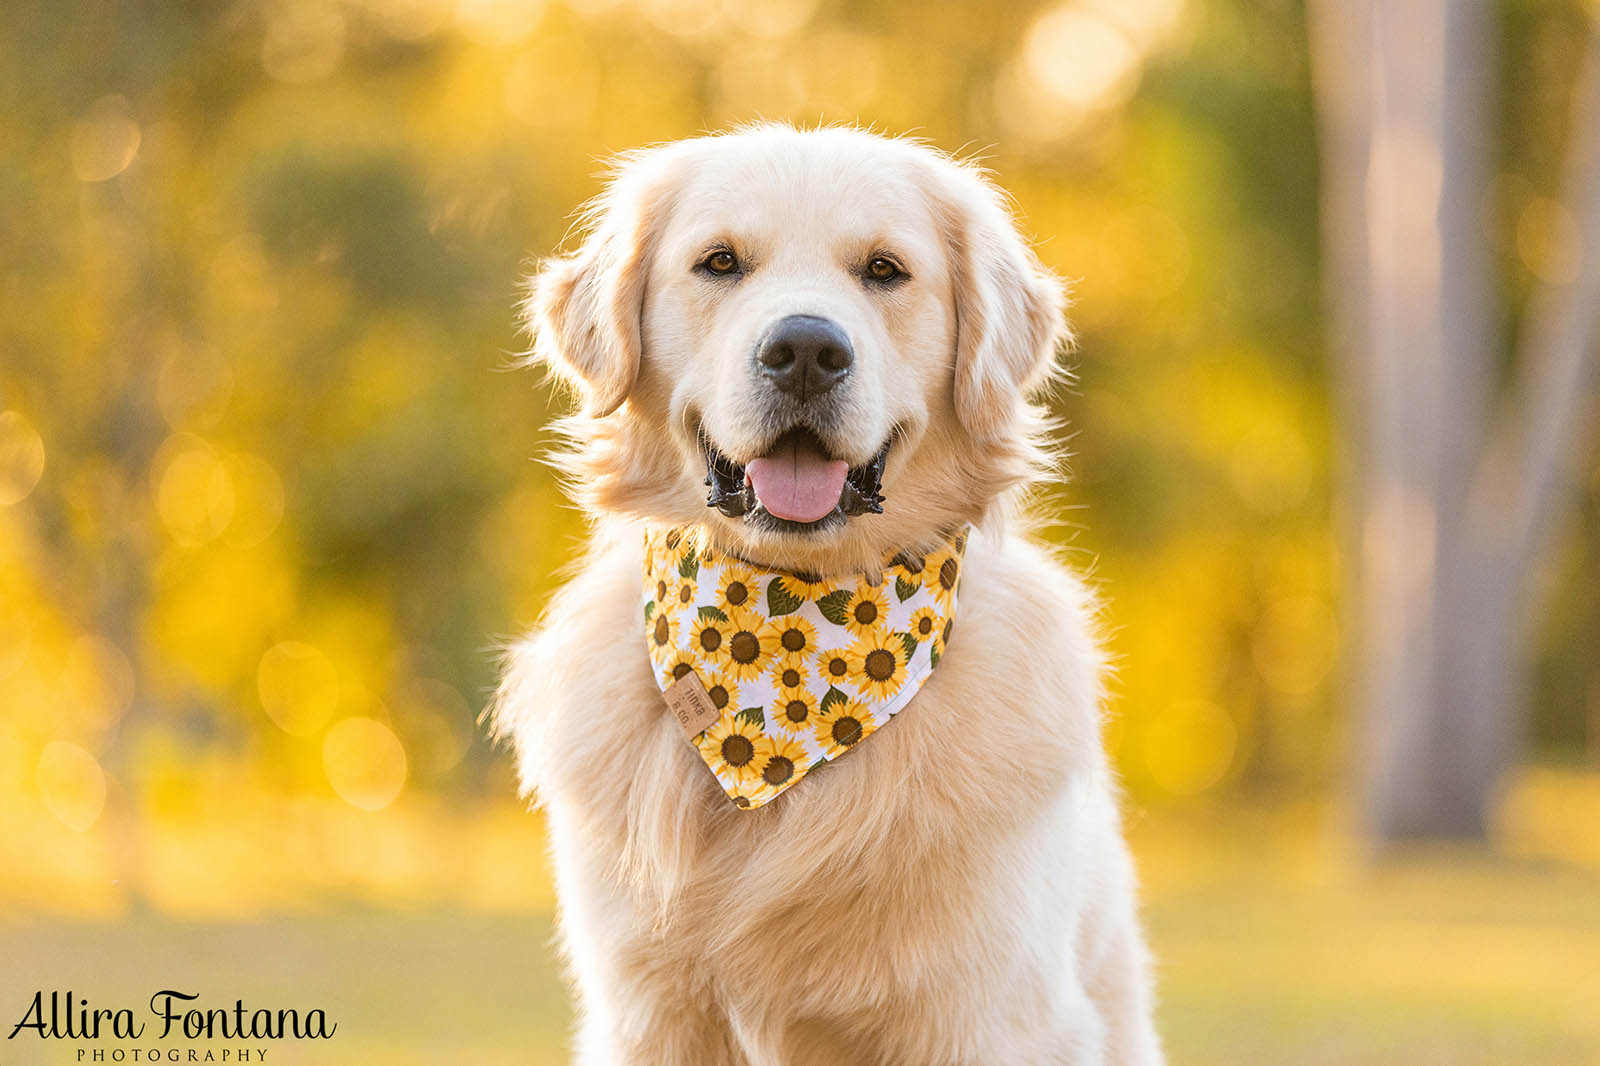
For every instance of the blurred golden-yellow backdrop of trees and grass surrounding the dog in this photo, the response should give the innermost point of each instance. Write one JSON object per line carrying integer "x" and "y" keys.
{"x": 270, "y": 497}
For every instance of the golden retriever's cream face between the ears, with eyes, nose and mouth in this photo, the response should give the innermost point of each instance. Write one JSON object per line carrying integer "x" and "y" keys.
{"x": 799, "y": 307}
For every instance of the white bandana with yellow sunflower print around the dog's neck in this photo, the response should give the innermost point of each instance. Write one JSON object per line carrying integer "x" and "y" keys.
{"x": 796, "y": 670}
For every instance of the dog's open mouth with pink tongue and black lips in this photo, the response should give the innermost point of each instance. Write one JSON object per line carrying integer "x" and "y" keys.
{"x": 794, "y": 486}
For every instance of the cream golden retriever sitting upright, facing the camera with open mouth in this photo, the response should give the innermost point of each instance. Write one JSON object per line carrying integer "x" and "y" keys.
{"x": 831, "y": 339}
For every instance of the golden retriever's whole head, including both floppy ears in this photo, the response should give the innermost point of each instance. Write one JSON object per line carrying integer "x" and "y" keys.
{"x": 814, "y": 345}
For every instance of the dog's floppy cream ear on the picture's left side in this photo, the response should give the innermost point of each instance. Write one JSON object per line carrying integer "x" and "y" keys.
{"x": 585, "y": 308}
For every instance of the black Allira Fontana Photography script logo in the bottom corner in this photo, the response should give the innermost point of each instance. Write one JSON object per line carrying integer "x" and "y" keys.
{"x": 172, "y": 1016}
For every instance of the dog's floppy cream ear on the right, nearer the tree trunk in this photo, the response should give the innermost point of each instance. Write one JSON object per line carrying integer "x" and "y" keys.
{"x": 1009, "y": 307}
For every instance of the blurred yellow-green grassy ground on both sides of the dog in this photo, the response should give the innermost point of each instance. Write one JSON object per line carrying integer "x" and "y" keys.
{"x": 1278, "y": 945}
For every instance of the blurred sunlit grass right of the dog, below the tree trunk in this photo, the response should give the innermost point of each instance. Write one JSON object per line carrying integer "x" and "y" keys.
{"x": 1284, "y": 948}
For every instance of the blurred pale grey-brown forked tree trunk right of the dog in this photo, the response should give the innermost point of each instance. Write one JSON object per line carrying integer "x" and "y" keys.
{"x": 1446, "y": 518}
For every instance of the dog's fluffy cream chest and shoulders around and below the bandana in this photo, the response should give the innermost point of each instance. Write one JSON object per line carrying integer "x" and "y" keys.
{"x": 970, "y": 846}
